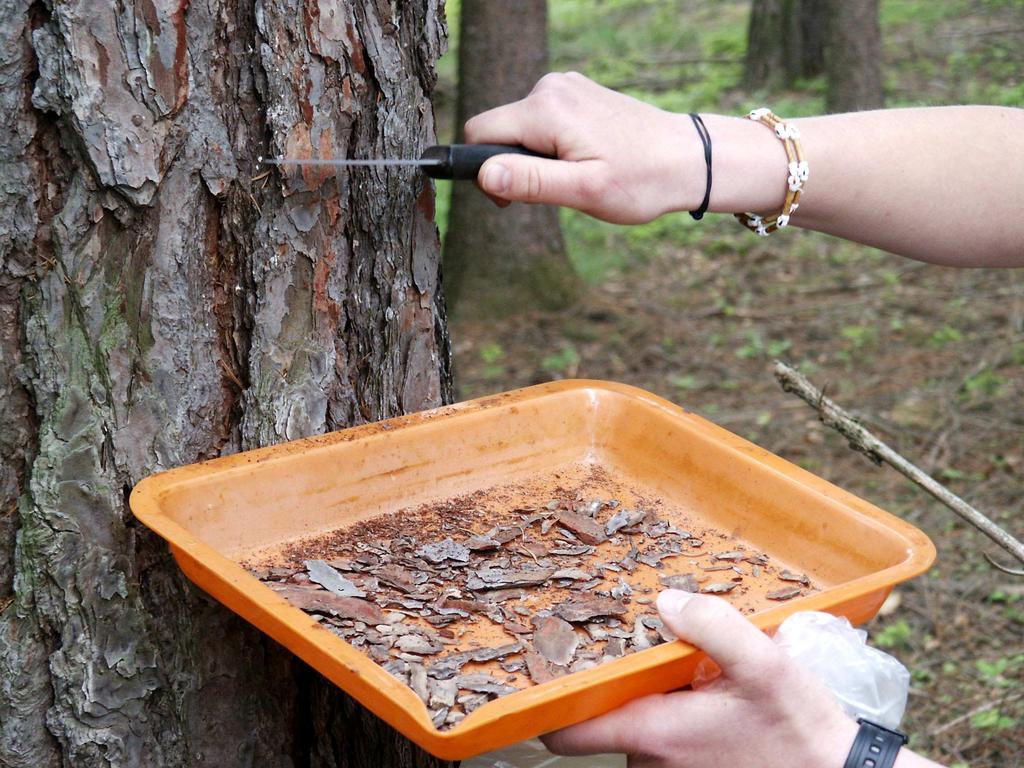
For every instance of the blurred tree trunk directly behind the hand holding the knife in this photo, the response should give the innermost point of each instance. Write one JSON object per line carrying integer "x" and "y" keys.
{"x": 497, "y": 262}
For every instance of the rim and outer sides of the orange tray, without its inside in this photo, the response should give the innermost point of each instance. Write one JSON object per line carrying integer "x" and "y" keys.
{"x": 298, "y": 632}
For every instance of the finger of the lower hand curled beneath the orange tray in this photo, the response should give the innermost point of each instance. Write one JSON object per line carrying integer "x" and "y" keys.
{"x": 621, "y": 731}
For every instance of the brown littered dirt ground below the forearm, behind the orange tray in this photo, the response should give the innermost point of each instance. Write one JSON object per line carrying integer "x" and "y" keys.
{"x": 931, "y": 359}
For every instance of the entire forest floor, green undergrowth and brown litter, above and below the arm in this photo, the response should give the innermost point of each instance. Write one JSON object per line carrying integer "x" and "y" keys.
{"x": 931, "y": 359}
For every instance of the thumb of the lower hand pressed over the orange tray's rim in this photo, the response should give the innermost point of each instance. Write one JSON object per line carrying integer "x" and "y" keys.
{"x": 744, "y": 653}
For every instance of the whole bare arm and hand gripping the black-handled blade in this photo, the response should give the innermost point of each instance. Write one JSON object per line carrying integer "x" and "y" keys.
{"x": 943, "y": 185}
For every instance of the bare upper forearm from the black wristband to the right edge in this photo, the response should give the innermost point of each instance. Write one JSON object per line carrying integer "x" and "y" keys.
{"x": 941, "y": 185}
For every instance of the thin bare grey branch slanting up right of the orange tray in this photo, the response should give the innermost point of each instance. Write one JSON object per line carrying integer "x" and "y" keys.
{"x": 862, "y": 440}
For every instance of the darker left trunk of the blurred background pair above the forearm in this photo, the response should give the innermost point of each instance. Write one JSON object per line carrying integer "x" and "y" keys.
{"x": 786, "y": 42}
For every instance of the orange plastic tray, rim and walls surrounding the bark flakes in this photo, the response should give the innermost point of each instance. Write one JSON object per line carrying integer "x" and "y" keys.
{"x": 221, "y": 514}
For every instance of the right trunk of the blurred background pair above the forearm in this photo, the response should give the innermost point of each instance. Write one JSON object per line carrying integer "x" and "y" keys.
{"x": 855, "y": 57}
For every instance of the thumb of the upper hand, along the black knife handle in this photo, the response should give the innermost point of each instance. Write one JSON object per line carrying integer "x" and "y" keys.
{"x": 527, "y": 180}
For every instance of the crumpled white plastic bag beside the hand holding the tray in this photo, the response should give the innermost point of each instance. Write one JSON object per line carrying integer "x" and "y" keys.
{"x": 868, "y": 682}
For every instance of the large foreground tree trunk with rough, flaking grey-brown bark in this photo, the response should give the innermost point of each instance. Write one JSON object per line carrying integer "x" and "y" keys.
{"x": 163, "y": 300}
